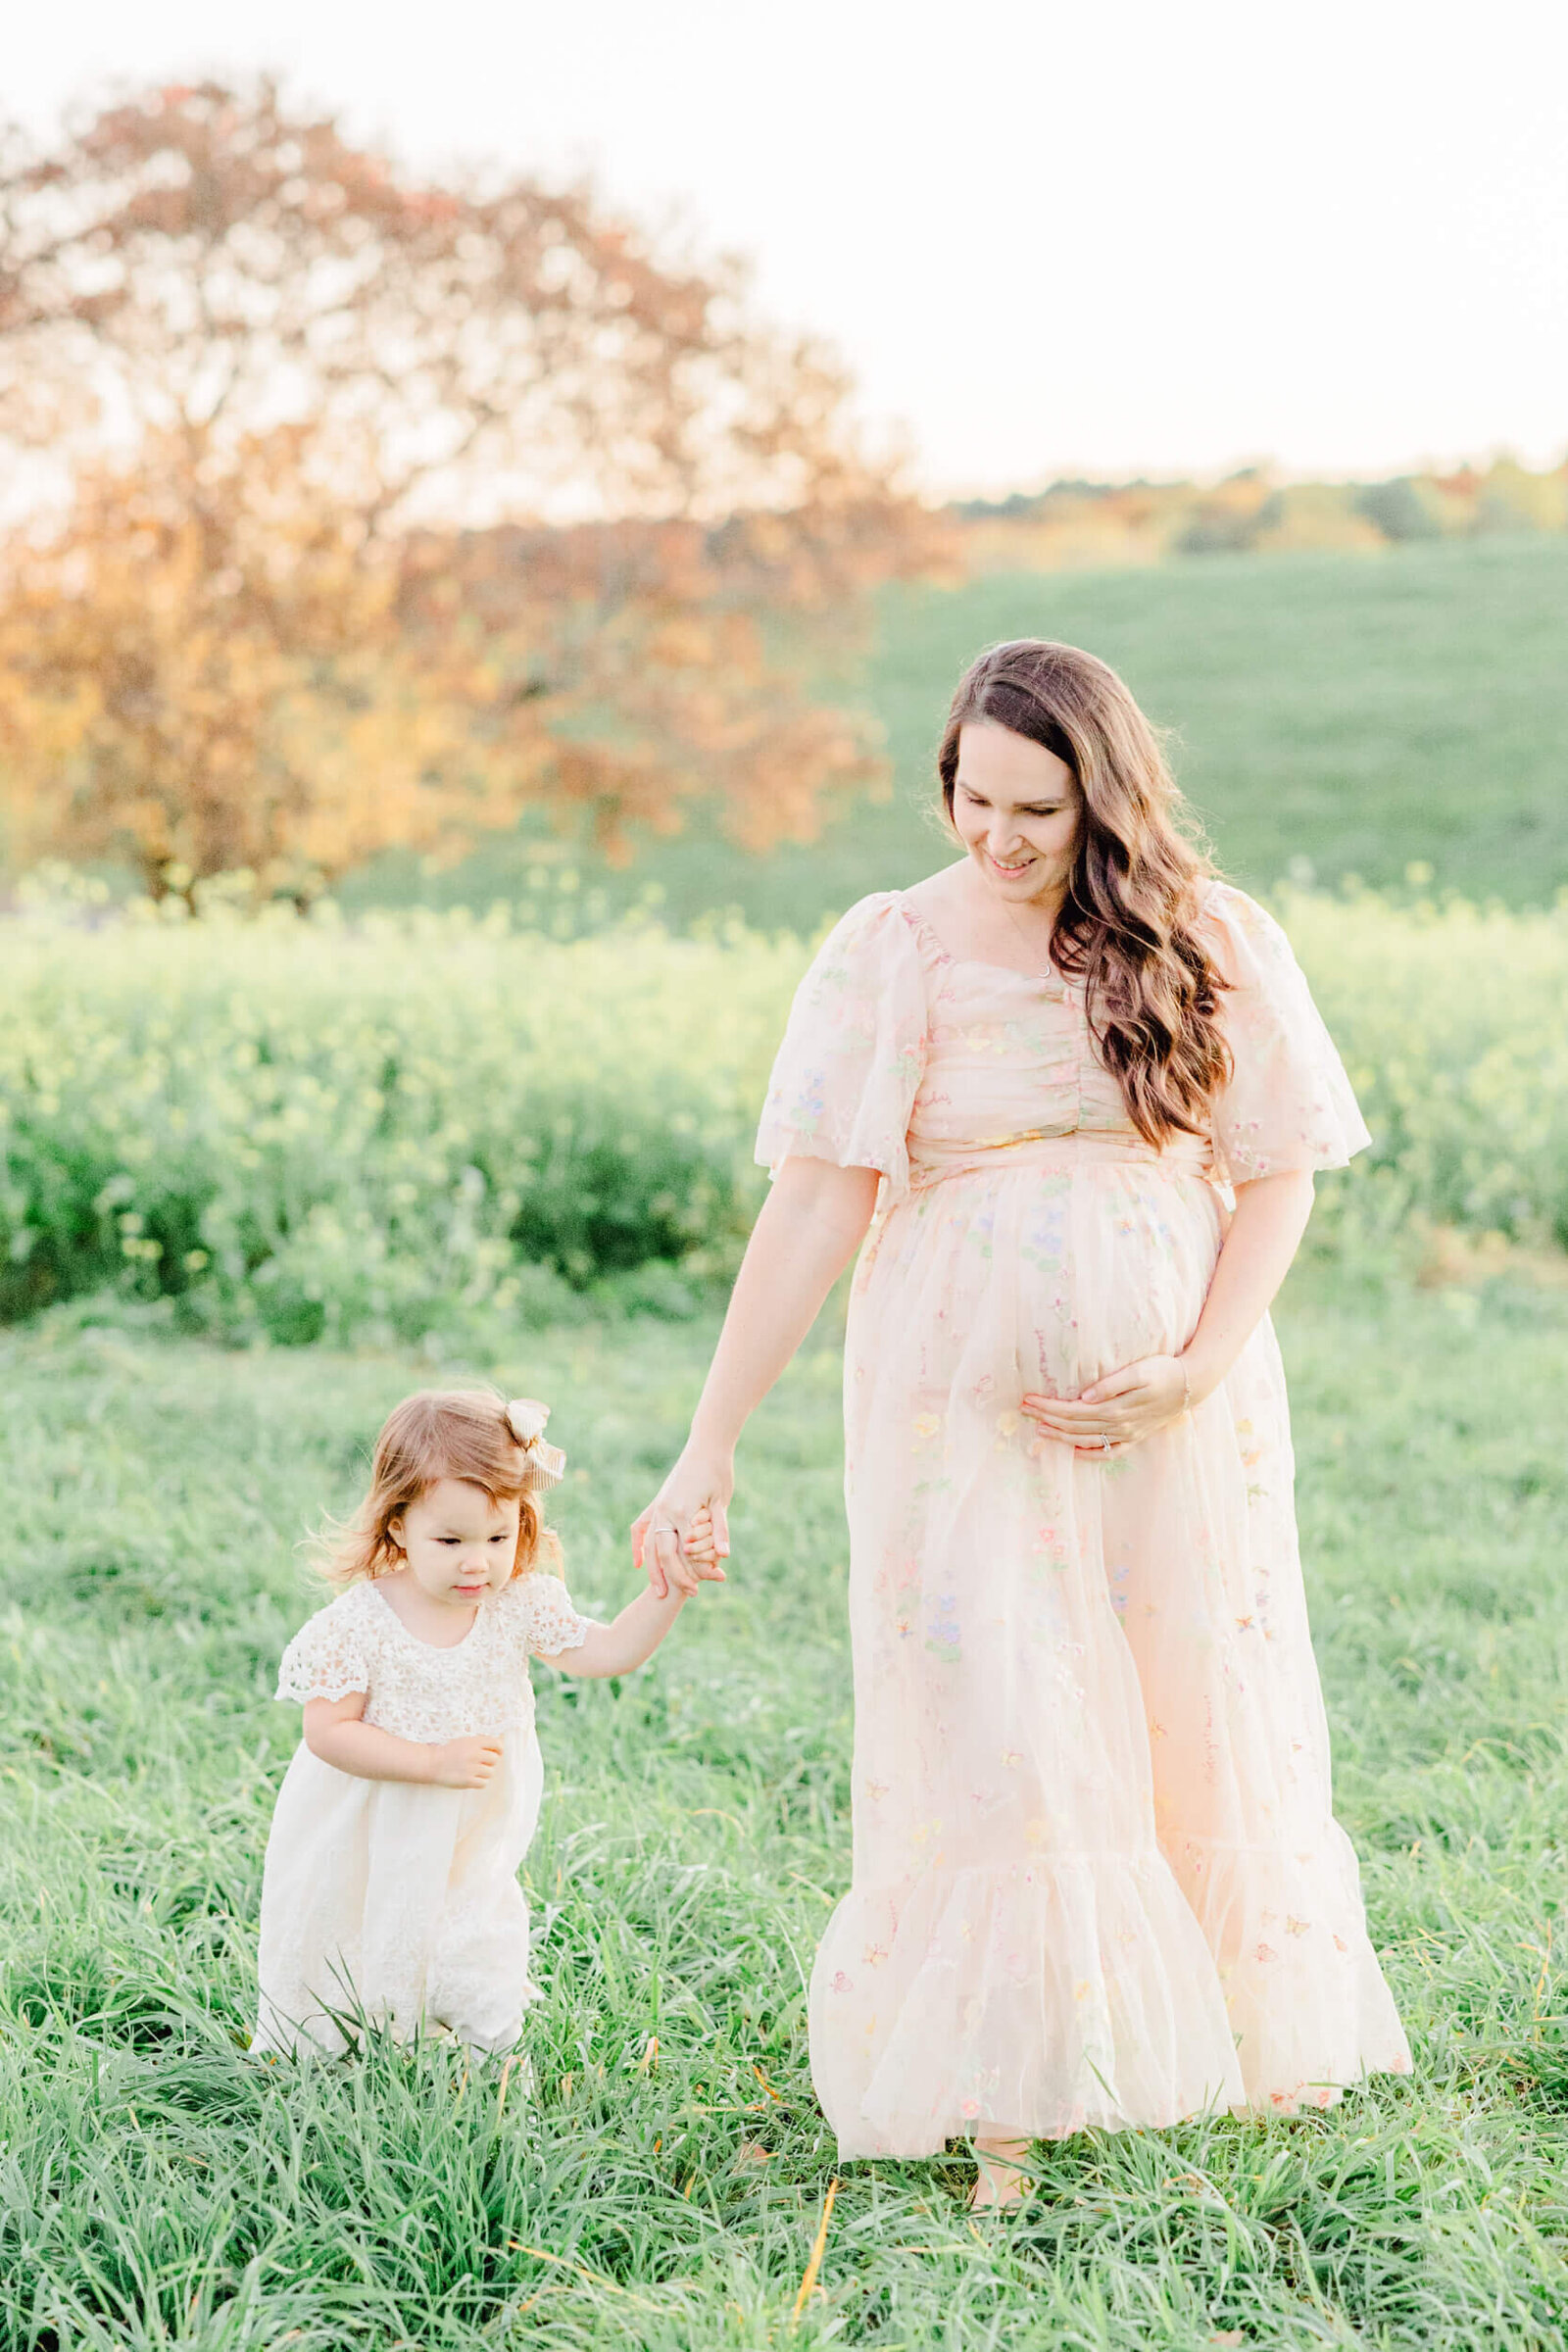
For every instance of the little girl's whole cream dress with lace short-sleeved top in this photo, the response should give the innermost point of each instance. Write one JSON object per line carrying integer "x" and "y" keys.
{"x": 389, "y": 1899}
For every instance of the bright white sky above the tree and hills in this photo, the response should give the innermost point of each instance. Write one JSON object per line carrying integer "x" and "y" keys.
{"x": 1050, "y": 236}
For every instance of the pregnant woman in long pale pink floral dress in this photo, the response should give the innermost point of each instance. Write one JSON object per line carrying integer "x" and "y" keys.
{"x": 1076, "y": 1090}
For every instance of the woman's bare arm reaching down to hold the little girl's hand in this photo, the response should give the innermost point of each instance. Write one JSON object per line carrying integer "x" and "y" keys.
{"x": 810, "y": 1229}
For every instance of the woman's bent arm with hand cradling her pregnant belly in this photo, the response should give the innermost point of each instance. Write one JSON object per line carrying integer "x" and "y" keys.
{"x": 1130, "y": 1405}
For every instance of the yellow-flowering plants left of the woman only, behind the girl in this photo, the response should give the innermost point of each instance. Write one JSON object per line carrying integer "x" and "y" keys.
{"x": 311, "y": 1132}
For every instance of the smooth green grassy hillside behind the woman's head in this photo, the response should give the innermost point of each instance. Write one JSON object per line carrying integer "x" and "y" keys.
{"x": 1355, "y": 714}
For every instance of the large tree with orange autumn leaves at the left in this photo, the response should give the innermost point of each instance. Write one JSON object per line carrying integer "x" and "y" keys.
{"x": 373, "y": 512}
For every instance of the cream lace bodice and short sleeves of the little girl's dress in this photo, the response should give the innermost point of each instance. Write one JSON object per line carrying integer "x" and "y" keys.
{"x": 420, "y": 1692}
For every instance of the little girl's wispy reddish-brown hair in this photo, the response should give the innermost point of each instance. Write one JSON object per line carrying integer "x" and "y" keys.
{"x": 438, "y": 1434}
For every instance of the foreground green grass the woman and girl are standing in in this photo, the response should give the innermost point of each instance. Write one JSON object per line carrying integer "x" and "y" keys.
{"x": 163, "y": 2191}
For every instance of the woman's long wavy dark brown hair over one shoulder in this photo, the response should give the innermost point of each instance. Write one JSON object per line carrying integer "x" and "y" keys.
{"x": 1130, "y": 923}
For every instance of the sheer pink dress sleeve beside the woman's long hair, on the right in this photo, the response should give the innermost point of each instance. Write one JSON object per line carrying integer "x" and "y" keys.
{"x": 1289, "y": 1104}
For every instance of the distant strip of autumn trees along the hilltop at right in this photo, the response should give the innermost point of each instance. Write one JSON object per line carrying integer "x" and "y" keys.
{"x": 1094, "y": 523}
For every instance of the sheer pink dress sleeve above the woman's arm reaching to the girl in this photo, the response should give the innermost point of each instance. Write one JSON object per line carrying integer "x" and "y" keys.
{"x": 855, "y": 1053}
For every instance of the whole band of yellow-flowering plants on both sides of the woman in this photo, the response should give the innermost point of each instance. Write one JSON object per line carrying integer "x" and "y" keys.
{"x": 297, "y": 1130}
